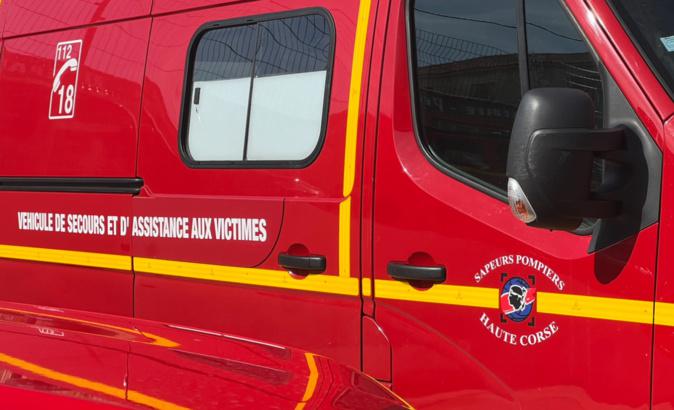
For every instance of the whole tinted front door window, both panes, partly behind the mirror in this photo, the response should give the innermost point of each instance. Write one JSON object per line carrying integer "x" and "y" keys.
{"x": 469, "y": 81}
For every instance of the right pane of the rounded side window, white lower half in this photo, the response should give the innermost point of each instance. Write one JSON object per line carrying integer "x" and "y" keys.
{"x": 290, "y": 75}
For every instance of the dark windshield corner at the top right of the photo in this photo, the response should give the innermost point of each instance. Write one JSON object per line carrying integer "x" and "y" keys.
{"x": 650, "y": 24}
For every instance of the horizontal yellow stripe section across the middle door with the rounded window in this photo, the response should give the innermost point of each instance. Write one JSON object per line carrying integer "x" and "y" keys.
{"x": 248, "y": 276}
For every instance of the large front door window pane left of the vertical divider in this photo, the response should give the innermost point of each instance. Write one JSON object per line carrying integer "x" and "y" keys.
{"x": 468, "y": 84}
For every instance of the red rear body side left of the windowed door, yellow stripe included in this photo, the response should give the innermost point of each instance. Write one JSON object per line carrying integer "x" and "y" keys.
{"x": 102, "y": 68}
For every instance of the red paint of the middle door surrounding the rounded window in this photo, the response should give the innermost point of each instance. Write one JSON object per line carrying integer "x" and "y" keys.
{"x": 301, "y": 206}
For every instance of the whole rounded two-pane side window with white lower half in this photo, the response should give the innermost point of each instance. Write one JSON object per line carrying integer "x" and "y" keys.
{"x": 258, "y": 92}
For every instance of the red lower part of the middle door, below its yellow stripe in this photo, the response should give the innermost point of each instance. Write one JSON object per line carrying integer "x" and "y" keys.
{"x": 299, "y": 319}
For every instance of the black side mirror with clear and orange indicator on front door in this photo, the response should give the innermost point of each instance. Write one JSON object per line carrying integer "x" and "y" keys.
{"x": 553, "y": 149}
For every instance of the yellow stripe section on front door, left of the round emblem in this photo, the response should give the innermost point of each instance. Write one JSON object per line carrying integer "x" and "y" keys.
{"x": 442, "y": 294}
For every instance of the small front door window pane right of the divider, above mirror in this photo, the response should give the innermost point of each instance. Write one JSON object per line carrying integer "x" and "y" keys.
{"x": 557, "y": 52}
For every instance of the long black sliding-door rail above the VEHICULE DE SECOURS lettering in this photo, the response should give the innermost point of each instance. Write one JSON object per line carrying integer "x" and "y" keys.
{"x": 83, "y": 185}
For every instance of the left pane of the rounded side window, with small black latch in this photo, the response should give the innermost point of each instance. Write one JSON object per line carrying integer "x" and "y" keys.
{"x": 223, "y": 69}
